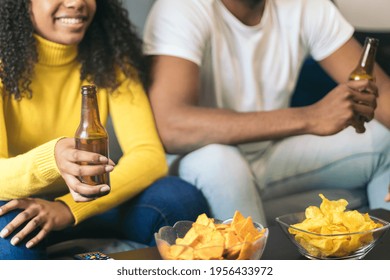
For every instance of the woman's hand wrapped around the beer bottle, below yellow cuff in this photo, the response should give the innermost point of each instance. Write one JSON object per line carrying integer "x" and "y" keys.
{"x": 68, "y": 160}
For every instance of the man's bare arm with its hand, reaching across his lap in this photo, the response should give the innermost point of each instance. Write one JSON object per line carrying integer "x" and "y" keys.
{"x": 184, "y": 126}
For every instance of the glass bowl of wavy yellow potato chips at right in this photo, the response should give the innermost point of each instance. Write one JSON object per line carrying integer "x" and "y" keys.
{"x": 331, "y": 232}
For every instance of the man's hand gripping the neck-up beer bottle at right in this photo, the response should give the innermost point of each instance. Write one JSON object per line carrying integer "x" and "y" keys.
{"x": 347, "y": 104}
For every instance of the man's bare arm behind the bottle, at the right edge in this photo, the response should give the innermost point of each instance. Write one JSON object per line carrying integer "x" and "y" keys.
{"x": 341, "y": 63}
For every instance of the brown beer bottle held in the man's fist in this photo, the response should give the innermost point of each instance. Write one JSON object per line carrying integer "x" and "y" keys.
{"x": 365, "y": 71}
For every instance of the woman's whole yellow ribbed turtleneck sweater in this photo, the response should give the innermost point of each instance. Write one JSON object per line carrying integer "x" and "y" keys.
{"x": 30, "y": 128}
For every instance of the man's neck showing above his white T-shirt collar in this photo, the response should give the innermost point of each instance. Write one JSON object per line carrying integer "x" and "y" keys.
{"x": 249, "y": 12}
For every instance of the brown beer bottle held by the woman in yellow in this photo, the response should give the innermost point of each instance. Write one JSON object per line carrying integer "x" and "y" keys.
{"x": 91, "y": 135}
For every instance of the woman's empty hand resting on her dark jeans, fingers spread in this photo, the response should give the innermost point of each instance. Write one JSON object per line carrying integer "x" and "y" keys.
{"x": 37, "y": 213}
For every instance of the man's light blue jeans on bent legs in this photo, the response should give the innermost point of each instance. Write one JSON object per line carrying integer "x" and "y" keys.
{"x": 233, "y": 181}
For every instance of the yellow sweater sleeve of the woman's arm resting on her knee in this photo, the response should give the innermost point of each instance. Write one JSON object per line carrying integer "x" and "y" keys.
{"x": 143, "y": 159}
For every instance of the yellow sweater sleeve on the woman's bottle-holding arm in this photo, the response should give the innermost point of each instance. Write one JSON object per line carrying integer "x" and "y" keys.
{"x": 28, "y": 173}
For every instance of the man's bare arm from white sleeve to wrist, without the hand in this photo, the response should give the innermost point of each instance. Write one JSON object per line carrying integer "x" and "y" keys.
{"x": 184, "y": 126}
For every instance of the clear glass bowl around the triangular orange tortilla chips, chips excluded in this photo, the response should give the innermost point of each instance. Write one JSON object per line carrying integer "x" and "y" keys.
{"x": 166, "y": 237}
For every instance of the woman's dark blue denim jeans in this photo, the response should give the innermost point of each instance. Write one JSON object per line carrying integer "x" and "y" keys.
{"x": 165, "y": 202}
